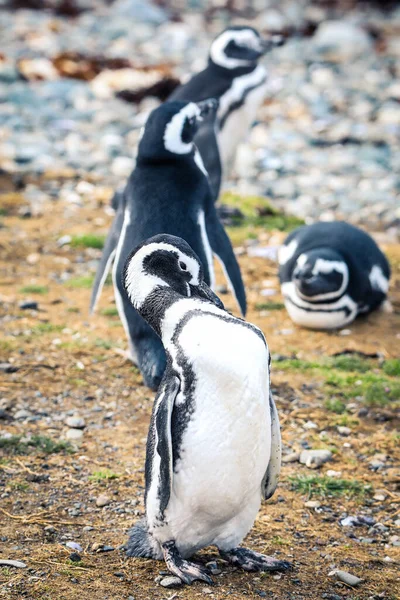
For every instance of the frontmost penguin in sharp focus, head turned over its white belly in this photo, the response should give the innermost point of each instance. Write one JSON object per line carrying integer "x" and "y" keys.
{"x": 214, "y": 407}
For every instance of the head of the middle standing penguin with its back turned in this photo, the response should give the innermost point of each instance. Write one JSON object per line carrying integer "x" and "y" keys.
{"x": 170, "y": 128}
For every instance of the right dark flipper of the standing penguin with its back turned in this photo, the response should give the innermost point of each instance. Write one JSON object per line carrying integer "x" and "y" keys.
{"x": 222, "y": 248}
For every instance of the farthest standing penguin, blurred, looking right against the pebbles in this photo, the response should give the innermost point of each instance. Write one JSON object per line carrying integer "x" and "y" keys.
{"x": 235, "y": 78}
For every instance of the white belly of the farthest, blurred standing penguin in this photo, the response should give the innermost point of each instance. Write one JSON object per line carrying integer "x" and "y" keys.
{"x": 238, "y": 123}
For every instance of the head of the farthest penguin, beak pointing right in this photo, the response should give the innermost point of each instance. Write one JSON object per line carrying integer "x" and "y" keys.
{"x": 240, "y": 47}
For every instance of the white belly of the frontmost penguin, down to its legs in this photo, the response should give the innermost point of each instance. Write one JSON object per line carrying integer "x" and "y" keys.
{"x": 226, "y": 446}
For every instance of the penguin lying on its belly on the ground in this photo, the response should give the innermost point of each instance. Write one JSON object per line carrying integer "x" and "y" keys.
{"x": 330, "y": 273}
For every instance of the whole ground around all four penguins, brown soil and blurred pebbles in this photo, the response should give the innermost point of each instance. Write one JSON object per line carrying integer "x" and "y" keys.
{"x": 73, "y": 412}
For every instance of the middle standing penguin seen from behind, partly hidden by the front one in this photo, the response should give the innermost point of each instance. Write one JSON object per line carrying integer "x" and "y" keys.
{"x": 167, "y": 192}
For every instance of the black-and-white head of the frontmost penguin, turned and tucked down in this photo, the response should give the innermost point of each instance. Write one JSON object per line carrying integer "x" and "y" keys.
{"x": 165, "y": 261}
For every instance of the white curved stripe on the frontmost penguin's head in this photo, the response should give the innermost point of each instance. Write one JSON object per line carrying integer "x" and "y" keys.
{"x": 140, "y": 284}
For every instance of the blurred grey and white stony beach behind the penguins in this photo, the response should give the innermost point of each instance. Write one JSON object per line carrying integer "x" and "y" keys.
{"x": 77, "y": 78}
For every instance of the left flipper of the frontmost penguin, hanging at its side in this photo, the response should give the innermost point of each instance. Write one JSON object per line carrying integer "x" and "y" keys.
{"x": 163, "y": 408}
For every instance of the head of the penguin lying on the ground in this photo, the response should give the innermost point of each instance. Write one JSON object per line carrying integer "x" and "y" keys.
{"x": 320, "y": 274}
